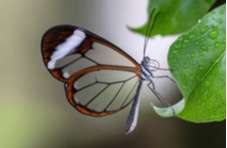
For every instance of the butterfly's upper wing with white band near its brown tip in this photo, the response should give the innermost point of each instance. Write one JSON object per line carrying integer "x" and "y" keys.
{"x": 68, "y": 49}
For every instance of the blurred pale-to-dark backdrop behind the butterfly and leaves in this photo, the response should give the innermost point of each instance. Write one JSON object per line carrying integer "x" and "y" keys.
{"x": 34, "y": 112}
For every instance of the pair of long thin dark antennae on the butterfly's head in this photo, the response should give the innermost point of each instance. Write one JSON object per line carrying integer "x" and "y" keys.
{"x": 149, "y": 29}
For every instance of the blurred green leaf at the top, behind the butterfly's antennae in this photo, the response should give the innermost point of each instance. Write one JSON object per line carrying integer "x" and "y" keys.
{"x": 176, "y": 16}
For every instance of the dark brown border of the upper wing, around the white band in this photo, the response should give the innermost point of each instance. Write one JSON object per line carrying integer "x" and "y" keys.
{"x": 58, "y": 34}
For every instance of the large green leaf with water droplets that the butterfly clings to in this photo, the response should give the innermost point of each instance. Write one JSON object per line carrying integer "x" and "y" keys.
{"x": 198, "y": 63}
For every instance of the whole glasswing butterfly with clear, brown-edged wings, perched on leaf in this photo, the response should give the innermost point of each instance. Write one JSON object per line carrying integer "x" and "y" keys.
{"x": 99, "y": 78}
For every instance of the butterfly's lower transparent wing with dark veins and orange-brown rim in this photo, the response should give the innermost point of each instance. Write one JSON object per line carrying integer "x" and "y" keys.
{"x": 101, "y": 92}
